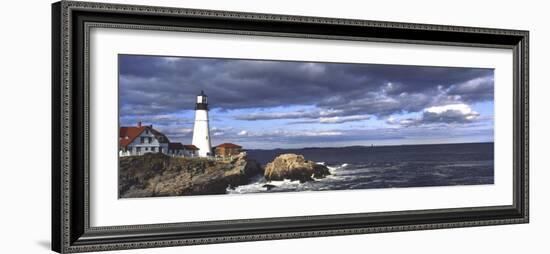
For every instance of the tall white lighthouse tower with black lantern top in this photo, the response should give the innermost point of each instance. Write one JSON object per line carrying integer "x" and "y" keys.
{"x": 201, "y": 131}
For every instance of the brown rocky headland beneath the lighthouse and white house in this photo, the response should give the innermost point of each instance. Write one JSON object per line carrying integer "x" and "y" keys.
{"x": 156, "y": 175}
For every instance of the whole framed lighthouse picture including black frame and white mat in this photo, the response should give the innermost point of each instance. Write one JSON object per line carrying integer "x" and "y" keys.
{"x": 182, "y": 126}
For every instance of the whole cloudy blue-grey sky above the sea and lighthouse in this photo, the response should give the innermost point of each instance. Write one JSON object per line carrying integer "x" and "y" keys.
{"x": 281, "y": 104}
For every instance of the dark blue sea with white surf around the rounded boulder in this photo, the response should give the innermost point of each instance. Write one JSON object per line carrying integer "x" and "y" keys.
{"x": 386, "y": 167}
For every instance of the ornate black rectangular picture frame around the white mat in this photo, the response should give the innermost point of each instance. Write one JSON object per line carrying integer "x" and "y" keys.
{"x": 71, "y": 231}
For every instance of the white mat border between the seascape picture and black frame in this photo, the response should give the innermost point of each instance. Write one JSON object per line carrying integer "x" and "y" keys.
{"x": 107, "y": 210}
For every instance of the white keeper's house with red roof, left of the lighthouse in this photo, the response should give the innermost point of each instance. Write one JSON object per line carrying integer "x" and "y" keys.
{"x": 142, "y": 139}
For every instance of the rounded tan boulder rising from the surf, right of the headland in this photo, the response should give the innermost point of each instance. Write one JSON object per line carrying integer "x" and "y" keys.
{"x": 294, "y": 167}
